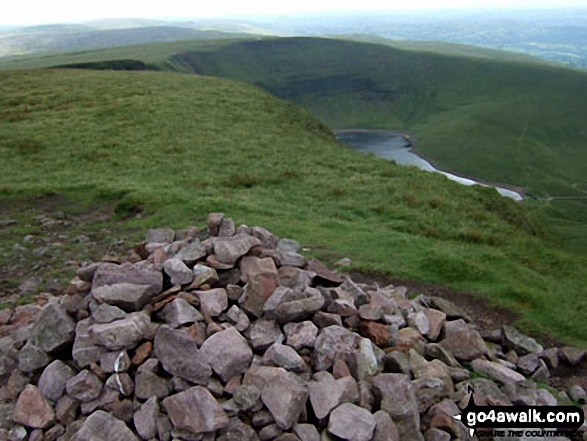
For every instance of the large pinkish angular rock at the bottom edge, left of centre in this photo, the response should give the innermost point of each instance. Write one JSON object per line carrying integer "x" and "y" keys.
{"x": 195, "y": 410}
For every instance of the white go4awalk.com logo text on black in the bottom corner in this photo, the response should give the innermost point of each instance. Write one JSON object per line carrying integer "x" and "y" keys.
{"x": 517, "y": 421}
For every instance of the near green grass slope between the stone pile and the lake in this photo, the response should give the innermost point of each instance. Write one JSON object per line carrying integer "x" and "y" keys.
{"x": 179, "y": 146}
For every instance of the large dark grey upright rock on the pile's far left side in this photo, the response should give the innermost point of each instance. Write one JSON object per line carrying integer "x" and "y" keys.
{"x": 53, "y": 330}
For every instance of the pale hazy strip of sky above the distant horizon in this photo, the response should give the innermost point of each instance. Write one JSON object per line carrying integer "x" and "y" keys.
{"x": 56, "y": 11}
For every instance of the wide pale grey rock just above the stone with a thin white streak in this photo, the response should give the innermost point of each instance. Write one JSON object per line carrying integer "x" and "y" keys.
{"x": 122, "y": 334}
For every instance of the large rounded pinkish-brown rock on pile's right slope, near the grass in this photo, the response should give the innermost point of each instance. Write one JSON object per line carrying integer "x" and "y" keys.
{"x": 463, "y": 341}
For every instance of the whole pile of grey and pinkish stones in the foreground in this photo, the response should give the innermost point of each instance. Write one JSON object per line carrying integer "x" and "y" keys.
{"x": 231, "y": 334}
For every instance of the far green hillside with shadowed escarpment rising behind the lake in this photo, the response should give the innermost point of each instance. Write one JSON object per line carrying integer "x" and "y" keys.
{"x": 510, "y": 121}
